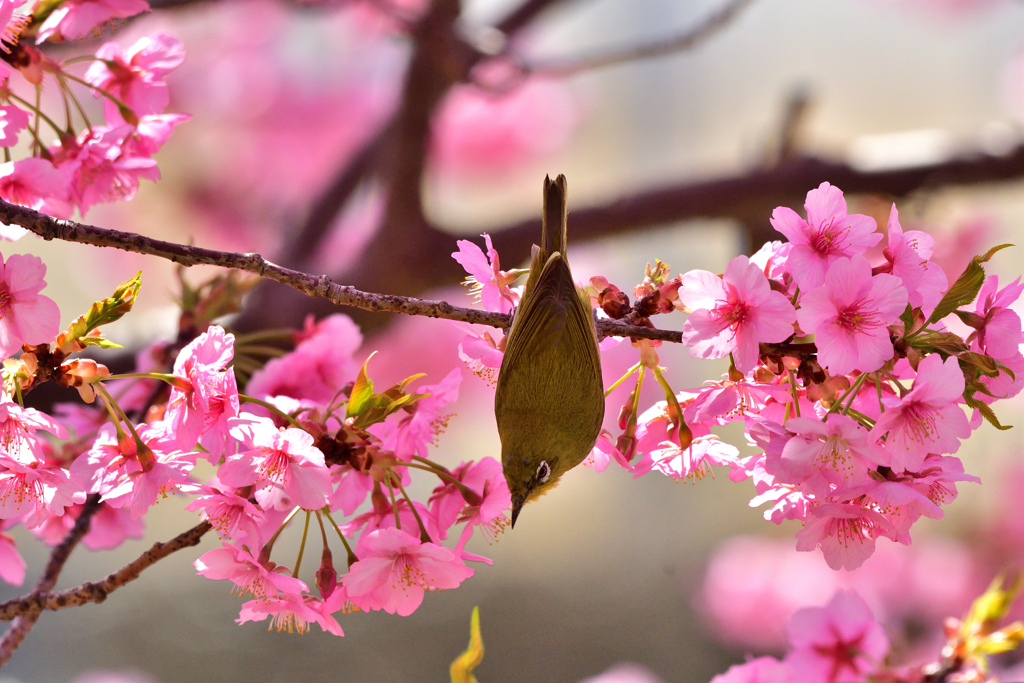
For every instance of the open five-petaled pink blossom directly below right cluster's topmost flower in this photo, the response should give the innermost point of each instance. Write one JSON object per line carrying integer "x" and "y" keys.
{"x": 850, "y": 317}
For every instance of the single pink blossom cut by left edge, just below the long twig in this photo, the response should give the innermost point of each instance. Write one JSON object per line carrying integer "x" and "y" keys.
{"x": 26, "y": 316}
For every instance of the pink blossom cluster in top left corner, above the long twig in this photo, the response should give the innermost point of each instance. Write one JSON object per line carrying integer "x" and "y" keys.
{"x": 100, "y": 163}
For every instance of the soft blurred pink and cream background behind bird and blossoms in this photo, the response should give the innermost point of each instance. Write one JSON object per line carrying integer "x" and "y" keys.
{"x": 682, "y": 580}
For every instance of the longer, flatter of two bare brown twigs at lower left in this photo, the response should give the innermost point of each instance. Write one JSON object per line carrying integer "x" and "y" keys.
{"x": 31, "y": 606}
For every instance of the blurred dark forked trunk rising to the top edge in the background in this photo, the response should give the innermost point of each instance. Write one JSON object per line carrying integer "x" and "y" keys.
{"x": 407, "y": 254}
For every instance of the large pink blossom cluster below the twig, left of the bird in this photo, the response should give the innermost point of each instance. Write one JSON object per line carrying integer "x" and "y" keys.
{"x": 312, "y": 440}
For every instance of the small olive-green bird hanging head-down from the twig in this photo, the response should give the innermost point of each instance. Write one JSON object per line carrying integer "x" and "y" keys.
{"x": 549, "y": 402}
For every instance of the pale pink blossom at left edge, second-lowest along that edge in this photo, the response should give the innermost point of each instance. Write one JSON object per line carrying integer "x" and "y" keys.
{"x": 35, "y": 491}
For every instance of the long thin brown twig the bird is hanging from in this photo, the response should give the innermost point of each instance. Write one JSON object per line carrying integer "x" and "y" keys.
{"x": 314, "y": 286}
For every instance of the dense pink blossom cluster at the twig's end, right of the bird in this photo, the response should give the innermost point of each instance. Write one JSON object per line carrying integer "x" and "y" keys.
{"x": 854, "y": 373}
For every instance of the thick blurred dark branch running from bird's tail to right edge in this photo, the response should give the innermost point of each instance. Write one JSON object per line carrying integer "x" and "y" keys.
{"x": 751, "y": 197}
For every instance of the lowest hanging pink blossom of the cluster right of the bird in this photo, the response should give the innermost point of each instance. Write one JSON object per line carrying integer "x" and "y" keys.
{"x": 845, "y": 533}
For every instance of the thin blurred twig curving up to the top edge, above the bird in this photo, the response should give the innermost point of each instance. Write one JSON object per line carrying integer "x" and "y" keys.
{"x": 659, "y": 49}
